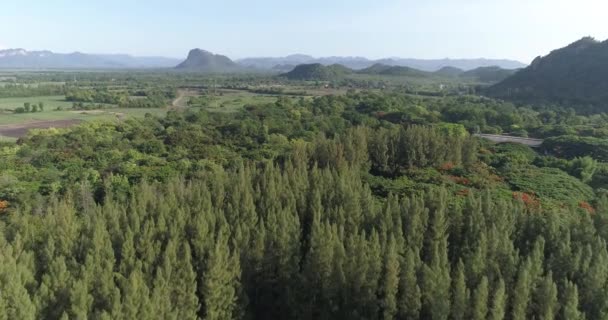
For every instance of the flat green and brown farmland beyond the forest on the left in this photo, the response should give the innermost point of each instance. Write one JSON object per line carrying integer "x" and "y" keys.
{"x": 118, "y": 97}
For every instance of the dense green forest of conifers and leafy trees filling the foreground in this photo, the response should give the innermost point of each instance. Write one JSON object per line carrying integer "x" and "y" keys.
{"x": 363, "y": 205}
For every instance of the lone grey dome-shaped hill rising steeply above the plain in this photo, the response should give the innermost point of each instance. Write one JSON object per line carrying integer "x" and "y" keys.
{"x": 204, "y": 61}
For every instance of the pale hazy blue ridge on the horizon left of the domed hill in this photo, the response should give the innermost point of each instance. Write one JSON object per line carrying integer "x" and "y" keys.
{"x": 23, "y": 59}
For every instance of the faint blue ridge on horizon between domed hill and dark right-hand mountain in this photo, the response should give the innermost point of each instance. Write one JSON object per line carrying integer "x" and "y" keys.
{"x": 359, "y": 63}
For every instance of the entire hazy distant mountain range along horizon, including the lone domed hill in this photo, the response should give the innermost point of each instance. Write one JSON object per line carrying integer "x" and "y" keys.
{"x": 23, "y": 59}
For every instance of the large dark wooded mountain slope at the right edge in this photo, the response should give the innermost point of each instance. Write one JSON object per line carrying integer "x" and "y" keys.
{"x": 574, "y": 75}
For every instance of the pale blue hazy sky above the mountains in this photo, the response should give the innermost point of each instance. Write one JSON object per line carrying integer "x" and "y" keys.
{"x": 516, "y": 29}
